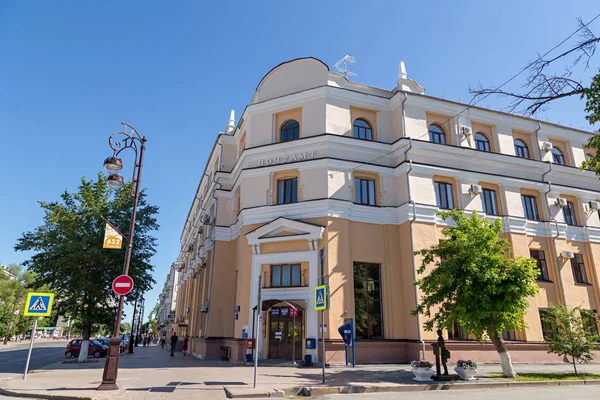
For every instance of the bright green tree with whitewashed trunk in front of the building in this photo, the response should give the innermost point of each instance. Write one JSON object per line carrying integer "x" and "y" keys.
{"x": 474, "y": 281}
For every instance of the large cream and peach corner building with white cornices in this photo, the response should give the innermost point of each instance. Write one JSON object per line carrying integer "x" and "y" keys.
{"x": 324, "y": 175}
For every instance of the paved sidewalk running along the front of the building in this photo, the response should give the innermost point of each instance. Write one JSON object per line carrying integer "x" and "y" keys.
{"x": 152, "y": 374}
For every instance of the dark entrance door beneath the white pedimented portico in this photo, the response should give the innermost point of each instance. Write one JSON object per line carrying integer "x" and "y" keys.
{"x": 282, "y": 333}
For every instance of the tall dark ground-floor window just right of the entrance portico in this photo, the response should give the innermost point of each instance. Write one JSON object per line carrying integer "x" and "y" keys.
{"x": 367, "y": 301}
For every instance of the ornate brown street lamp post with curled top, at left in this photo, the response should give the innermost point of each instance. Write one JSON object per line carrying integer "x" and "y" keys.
{"x": 120, "y": 141}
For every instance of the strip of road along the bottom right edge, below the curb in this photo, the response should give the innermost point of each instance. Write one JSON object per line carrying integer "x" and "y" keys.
{"x": 546, "y": 393}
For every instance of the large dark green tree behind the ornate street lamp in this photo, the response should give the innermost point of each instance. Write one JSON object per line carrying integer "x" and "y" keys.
{"x": 69, "y": 258}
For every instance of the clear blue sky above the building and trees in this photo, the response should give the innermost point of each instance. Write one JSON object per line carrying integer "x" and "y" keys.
{"x": 71, "y": 71}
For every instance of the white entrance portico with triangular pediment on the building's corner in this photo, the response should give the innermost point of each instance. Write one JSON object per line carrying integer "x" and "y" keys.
{"x": 280, "y": 244}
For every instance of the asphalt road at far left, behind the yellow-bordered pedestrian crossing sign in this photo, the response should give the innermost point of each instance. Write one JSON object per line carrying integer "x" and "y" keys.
{"x": 45, "y": 352}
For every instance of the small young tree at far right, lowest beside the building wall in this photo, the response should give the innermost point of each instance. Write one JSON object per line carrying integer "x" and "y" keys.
{"x": 571, "y": 334}
